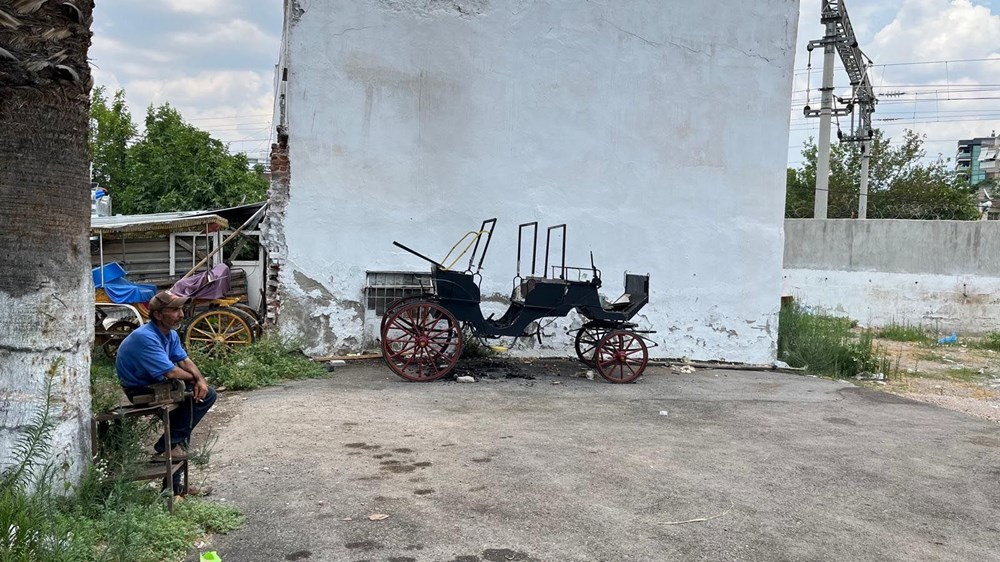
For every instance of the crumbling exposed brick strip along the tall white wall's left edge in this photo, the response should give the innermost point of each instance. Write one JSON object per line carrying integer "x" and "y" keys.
{"x": 273, "y": 232}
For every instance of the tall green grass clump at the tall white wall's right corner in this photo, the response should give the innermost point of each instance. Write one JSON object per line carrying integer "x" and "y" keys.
{"x": 828, "y": 345}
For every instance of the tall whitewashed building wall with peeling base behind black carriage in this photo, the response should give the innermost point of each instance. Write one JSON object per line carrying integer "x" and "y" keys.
{"x": 656, "y": 130}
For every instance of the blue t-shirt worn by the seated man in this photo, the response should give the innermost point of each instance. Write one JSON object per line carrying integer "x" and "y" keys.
{"x": 146, "y": 356}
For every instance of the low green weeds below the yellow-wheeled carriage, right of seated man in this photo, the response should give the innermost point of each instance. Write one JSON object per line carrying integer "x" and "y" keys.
{"x": 269, "y": 361}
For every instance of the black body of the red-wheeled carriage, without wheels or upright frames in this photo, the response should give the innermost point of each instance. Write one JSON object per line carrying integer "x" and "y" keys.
{"x": 534, "y": 299}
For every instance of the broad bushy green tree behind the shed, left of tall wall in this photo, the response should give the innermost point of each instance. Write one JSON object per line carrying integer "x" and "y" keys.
{"x": 177, "y": 167}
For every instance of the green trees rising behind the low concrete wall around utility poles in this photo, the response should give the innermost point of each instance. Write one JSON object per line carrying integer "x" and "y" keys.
{"x": 899, "y": 185}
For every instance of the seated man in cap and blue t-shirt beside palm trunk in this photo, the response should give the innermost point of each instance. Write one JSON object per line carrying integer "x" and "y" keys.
{"x": 153, "y": 354}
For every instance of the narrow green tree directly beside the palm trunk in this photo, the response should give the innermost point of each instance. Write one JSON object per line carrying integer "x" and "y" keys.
{"x": 111, "y": 133}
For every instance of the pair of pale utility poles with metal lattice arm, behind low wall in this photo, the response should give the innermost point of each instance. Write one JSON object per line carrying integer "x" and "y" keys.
{"x": 840, "y": 36}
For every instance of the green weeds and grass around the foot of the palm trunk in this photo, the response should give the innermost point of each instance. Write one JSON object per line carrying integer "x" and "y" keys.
{"x": 107, "y": 516}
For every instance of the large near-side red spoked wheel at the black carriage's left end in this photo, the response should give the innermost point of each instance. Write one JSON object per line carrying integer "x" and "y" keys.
{"x": 421, "y": 341}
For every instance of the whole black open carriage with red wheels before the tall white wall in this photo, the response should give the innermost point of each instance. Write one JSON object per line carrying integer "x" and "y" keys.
{"x": 423, "y": 335}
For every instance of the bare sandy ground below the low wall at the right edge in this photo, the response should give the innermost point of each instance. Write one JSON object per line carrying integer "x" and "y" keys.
{"x": 957, "y": 377}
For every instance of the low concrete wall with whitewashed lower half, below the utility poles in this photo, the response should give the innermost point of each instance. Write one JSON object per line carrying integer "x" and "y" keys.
{"x": 943, "y": 275}
